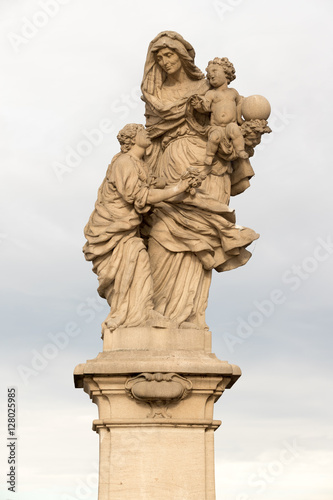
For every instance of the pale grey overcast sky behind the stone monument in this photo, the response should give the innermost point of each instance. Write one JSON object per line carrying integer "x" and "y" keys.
{"x": 76, "y": 67}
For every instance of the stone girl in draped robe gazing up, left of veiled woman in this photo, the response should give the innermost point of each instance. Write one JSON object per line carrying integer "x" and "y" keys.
{"x": 114, "y": 244}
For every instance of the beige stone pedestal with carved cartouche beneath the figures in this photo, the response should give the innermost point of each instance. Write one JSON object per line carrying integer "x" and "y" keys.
{"x": 155, "y": 390}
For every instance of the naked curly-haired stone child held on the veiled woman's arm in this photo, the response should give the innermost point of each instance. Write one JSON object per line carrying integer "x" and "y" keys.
{"x": 224, "y": 104}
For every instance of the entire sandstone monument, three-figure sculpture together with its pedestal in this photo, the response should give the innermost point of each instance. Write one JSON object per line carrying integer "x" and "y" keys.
{"x": 161, "y": 224}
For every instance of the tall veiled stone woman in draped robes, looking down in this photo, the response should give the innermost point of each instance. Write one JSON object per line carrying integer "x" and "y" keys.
{"x": 191, "y": 235}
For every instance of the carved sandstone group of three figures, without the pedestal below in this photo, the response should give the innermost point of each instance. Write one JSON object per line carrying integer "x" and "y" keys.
{"x": 170, "y": 187}
